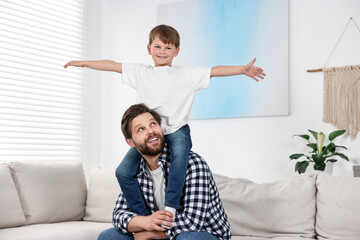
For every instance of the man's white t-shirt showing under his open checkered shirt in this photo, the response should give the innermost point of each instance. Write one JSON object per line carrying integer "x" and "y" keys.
{"x": 158, "y": 187}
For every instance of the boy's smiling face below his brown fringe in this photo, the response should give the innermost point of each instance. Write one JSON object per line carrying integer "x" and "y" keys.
{"x": 162, "y": 53}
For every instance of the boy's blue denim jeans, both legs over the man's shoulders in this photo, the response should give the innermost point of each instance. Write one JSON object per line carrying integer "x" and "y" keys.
{"x": 179, "y": 144}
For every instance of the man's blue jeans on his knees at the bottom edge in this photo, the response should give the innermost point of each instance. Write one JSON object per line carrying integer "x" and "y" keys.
{"x": 116, "y": 234}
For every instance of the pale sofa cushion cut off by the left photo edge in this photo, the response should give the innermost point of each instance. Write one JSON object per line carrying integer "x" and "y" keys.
{"x": 11, "y": 213}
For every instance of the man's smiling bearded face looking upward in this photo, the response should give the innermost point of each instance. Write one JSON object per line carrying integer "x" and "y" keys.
{"x": 147, "y": 135}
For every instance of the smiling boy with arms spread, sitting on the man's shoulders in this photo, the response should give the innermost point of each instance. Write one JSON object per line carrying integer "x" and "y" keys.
{"x": 170, "y": 90}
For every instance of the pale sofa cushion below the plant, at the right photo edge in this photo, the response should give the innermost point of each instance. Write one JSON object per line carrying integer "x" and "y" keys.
{"x": 338, "y": 208}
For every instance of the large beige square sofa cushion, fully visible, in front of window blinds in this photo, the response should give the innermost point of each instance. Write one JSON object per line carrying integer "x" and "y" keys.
{"x": 50, "y": 191}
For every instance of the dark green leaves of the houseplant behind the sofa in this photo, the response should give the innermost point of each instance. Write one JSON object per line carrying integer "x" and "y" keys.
{"x": 320, "y": 154}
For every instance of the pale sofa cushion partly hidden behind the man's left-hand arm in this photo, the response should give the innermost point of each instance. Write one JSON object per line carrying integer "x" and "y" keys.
{"x": 102, "y": 195}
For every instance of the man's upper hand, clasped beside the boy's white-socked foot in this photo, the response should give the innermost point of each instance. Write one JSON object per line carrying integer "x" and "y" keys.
{"x": 158, "y": 218}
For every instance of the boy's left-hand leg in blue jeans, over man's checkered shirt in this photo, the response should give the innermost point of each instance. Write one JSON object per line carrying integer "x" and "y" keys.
{"x": 126, "y": 176}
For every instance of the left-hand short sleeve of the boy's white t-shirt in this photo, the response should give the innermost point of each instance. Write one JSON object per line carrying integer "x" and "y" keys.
{"x": 132, "y": 73}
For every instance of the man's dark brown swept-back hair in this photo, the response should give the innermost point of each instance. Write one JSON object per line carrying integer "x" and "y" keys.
{"x": 131, "y": 113}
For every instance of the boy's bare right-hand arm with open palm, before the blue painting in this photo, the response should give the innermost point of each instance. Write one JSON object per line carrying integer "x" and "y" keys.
{"x": 249, "y": 70}
